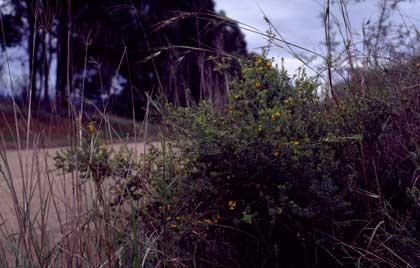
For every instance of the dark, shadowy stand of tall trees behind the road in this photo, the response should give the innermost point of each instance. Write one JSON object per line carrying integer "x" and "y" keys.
{"x": 115, "y": 53}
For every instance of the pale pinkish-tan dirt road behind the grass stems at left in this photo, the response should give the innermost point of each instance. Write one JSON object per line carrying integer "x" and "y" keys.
{"x": 30, "y": 179}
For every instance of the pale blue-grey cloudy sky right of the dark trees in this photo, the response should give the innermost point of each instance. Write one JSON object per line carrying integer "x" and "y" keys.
{"x": 299, "y": 21}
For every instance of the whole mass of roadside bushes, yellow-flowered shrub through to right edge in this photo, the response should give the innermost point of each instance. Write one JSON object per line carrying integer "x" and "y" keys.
{"x": 279, "y": 178}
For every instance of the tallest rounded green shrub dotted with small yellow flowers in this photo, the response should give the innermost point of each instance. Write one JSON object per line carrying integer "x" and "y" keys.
{"x": 268, "y": 165}
